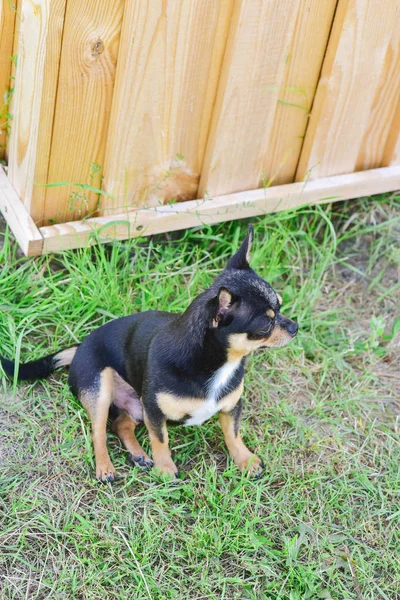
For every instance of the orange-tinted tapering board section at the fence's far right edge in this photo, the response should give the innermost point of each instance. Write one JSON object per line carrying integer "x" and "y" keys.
{"x": 381, "y": 122}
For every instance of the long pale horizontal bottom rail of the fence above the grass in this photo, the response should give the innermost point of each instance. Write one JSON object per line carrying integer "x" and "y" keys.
{"x": 223, "y": 208}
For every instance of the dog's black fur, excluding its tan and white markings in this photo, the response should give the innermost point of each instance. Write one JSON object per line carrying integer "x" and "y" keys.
{"x": 160, "y": 352}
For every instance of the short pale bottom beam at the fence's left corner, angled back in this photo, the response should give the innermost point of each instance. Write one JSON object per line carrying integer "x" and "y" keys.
{"x": 17, "y": 217}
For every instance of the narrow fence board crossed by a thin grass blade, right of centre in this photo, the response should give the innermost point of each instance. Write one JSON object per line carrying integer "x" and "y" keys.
{"x": 296, "y": 94}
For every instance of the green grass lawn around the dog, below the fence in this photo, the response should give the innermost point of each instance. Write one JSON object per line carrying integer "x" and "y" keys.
{"x": 323, "y": 413}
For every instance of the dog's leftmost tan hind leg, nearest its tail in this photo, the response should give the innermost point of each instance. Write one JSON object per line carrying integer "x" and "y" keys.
{"x": 97, "y": 405}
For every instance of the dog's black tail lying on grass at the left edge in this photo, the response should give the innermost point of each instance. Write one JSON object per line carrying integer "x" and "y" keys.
{"x": 39, "y": 369}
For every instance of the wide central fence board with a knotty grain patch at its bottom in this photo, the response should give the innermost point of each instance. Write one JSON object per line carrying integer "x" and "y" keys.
{"x": 167, "y": 75}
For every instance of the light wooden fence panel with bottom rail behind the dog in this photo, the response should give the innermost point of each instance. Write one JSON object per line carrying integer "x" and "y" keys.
{"x": 185, "y": 112}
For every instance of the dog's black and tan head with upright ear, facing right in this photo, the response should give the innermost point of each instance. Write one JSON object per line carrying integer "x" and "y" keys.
{"x": 245, "y": 314}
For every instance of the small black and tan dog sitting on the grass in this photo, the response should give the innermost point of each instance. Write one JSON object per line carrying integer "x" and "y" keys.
{"x": 157, "y": 366}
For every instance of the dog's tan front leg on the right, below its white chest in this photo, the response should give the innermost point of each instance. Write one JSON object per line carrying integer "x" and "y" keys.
{"x": 243, "y": 458}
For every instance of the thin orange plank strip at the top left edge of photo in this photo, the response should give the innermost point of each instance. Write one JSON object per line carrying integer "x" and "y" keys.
{"x": 7, "y": 23}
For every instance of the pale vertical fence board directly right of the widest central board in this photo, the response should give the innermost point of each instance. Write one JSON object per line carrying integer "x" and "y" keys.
{"x": 254, "y": 69}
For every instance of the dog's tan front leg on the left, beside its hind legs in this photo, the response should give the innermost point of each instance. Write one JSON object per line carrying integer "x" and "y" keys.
{"x": 157, "y": 428}
